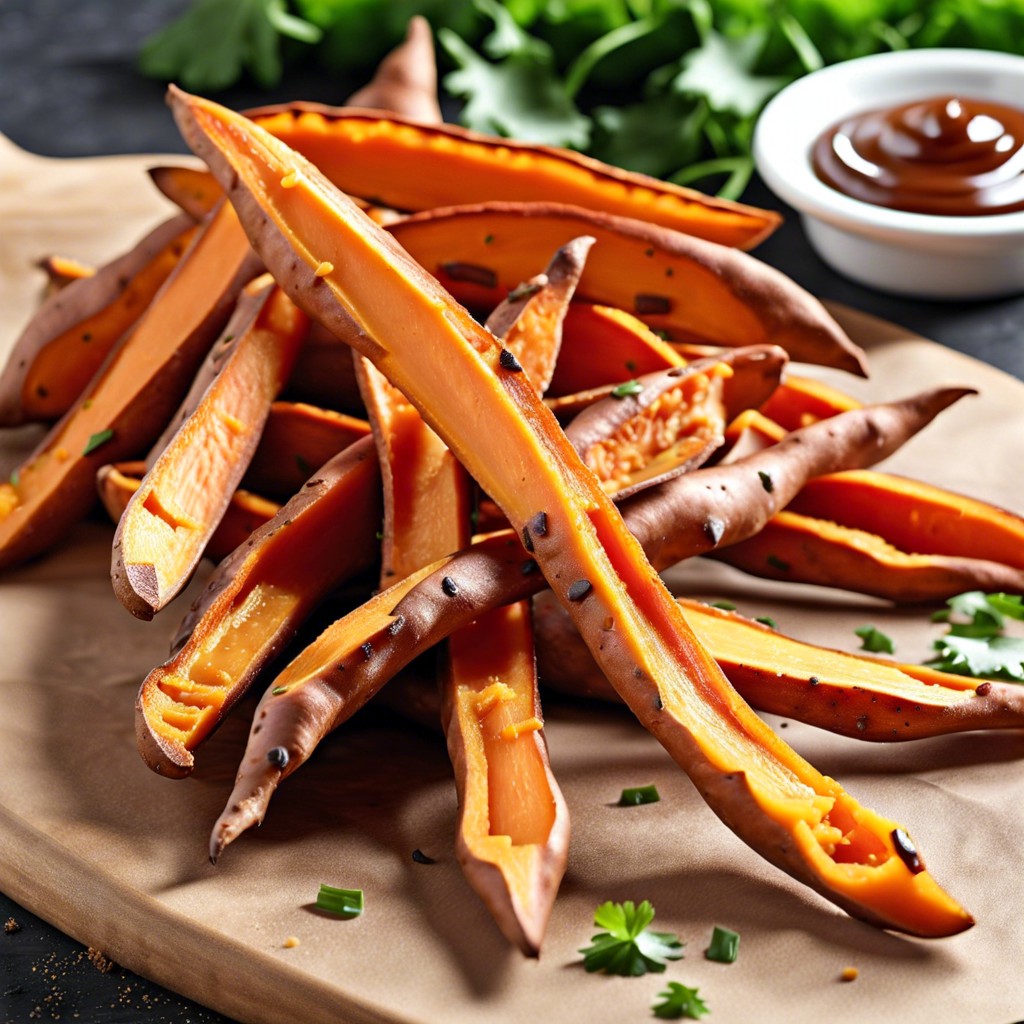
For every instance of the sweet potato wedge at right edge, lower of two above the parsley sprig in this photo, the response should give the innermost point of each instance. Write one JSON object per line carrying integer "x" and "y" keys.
{"x": 802, "y": 549}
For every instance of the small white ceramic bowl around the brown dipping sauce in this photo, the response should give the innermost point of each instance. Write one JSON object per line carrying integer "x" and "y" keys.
{"x": 915, "y": 254}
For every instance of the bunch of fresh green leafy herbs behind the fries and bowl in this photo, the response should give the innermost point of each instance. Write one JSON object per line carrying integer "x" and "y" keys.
{"x": 668, "y": 88}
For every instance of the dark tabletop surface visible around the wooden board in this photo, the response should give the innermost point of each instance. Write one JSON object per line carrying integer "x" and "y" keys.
{"x": 68, "y": 89}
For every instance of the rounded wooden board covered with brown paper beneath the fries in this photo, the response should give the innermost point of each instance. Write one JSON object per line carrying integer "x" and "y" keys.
{"x": 94, "y": 842}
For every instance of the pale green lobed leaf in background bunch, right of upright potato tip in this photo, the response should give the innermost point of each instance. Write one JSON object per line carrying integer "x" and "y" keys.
{"x": 521, "y": 97}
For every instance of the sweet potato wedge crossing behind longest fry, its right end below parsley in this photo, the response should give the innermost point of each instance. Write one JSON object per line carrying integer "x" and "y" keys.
{"x": 863, "y": 698}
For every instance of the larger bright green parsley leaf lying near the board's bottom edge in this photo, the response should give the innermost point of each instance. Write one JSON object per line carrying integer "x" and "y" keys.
{"x": 627, "y": 948}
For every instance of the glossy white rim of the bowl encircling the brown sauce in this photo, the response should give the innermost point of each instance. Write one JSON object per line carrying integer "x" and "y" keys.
{"x": 784, "y": 162}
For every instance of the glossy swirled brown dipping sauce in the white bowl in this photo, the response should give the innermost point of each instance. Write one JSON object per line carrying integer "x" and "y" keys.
{"x": 949, "y": 155}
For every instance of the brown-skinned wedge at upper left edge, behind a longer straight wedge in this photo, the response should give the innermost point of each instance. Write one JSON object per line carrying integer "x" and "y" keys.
{"x": 66, "y": 342}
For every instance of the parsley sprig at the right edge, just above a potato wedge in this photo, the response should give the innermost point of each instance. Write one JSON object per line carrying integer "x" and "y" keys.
{"x": 976, "y": 644}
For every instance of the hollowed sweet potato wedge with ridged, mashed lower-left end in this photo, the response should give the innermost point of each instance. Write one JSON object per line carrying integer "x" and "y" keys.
{"x": 254, "y": 604}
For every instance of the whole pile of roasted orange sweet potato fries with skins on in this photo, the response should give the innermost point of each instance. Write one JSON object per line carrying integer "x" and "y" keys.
{"x": 285, "y": 377}
